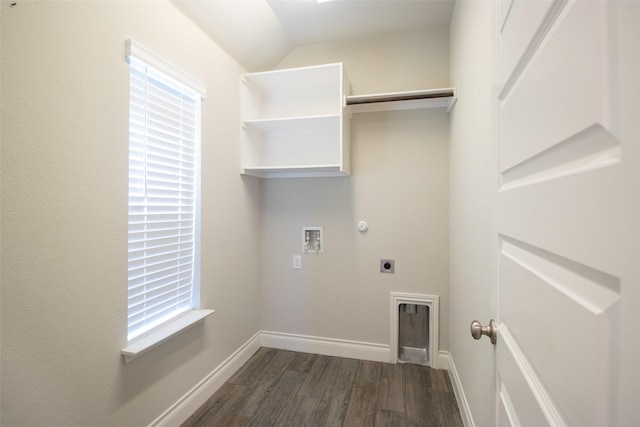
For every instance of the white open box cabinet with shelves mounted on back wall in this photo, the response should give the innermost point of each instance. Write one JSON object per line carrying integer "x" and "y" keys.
{"x": 294, "y": 122}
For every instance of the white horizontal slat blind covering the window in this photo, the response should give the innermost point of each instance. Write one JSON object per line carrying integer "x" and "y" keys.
{"x": 164, "y": 140}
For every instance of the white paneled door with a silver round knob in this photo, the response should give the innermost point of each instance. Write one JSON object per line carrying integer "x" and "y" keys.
{"x": 565, "y": 208}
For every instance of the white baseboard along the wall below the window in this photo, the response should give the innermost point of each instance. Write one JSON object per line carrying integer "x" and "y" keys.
{"x": 188, "y": 404}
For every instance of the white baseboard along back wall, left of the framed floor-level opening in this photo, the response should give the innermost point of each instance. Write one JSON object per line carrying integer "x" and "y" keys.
{"x": 326, "y": 346}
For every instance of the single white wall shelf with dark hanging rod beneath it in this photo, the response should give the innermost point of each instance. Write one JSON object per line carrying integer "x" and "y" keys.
{"x": 408, "y": 100}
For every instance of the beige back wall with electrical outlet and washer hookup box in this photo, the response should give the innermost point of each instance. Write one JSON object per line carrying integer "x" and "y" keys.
{"x": 399, "y": 184}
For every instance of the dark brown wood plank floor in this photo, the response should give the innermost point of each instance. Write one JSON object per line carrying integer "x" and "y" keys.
{"x": 284, "y": 388}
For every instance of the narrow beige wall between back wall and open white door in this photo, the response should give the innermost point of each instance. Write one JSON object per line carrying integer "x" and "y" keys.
{"x": 472, "y": 186}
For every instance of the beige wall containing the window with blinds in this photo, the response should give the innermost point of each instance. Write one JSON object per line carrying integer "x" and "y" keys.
{"x": 64, "y": 215}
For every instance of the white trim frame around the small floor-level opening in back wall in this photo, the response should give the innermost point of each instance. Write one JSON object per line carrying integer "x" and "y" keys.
{"x": 432, "y": 301}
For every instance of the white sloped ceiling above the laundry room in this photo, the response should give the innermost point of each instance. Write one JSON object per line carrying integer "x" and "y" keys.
{"x": 259, "y": 33}
